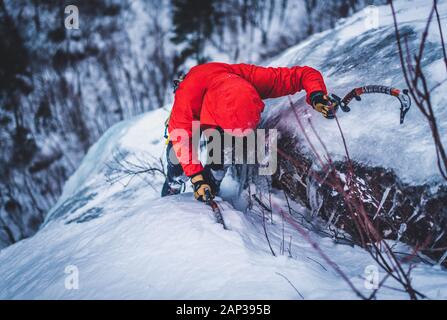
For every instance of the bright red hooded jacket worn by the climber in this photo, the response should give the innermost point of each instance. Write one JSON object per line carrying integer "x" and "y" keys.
{"x": 230, "y": 96}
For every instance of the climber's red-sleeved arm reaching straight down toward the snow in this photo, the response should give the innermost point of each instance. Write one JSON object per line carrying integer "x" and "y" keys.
{"x": 181, "y": 131}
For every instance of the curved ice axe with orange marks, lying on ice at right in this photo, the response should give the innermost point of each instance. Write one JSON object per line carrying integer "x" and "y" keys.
{"x": 401, "y": 95}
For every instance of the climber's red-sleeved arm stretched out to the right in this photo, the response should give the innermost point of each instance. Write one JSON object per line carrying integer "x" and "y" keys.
{"x": 277, "y": 82}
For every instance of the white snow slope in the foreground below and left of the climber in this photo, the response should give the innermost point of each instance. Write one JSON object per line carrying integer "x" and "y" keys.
{"x": 126, "y": 242}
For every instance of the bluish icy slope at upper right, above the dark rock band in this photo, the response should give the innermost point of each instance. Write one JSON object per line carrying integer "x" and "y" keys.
{"x": 354, "y": 55}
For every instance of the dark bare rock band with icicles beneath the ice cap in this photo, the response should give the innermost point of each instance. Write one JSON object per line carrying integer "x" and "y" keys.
{"x": 413, "y": 214}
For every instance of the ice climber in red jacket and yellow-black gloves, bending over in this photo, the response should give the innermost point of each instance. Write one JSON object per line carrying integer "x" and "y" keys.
{"x": 226, "y": 97}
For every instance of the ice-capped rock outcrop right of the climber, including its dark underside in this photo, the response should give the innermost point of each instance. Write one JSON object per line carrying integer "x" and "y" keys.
{"x": 393, "y": 178}
